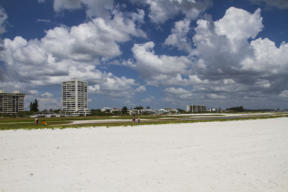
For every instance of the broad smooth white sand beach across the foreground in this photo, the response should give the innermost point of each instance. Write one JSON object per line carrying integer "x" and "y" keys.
{"x": 238, "y": 156}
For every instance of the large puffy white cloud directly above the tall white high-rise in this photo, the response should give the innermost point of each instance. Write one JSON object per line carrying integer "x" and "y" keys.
{"x": 93, "y": 39}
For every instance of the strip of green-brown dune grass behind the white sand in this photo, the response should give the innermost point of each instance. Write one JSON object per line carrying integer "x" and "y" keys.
{"x": 64, "y": 122}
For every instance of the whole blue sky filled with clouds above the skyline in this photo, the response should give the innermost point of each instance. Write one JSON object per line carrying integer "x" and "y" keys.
{"x": 156, "y": 53}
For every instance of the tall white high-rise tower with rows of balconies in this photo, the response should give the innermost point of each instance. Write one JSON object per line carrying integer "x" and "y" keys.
{"x": 75, "y": 97}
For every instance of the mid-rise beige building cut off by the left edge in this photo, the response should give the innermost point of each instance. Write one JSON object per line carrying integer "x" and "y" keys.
{"x": 11, "y": 102}
